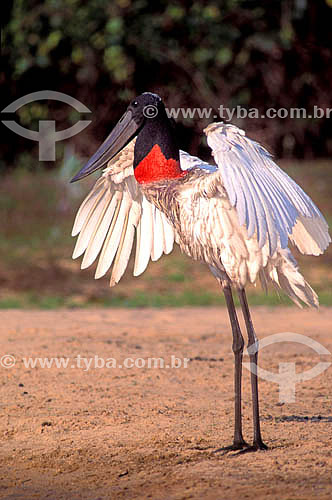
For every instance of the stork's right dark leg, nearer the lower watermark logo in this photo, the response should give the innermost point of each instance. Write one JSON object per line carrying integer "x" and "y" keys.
{"x": 253, "y": 357}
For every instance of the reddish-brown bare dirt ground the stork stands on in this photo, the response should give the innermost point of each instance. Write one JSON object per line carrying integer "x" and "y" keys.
{"x": 108, "y": 433}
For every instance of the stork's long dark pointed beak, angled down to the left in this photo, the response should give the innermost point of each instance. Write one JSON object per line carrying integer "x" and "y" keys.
{"x": 121, "y": 135}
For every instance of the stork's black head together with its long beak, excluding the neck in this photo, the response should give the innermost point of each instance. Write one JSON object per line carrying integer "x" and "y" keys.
{"x": 144, "y": 108}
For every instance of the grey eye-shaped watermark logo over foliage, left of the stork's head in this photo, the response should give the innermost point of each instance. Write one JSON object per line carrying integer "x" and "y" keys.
{"x": 47, "y": 136}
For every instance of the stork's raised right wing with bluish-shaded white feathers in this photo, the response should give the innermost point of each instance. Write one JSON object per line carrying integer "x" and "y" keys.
{"x": 268, "y": 202}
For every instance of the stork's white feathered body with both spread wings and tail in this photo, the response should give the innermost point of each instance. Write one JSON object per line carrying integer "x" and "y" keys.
{"x": 238, "y": 217}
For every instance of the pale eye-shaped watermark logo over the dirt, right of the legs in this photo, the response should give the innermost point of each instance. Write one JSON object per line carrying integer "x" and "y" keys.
{"x": 287, "y": 378}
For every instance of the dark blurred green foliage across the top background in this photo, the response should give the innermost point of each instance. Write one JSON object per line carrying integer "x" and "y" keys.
{"x": 194, "y": 53}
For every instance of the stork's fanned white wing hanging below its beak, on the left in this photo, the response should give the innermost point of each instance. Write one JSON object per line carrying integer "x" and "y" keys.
{"x": 109, "y": 217}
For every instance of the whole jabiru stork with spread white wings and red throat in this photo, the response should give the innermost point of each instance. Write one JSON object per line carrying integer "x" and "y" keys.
{"x": 238, "y": 216}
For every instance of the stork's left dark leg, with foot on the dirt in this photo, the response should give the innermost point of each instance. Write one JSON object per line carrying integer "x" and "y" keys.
{"x": 238, "y": 344}
